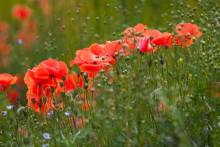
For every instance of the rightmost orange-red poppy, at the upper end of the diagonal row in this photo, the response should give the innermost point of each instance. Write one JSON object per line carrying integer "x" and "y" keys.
{"x": 186, "y": 34}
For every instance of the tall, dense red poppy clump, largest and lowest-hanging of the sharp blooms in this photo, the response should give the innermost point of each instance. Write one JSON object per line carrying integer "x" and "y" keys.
{"x": 43, "y": 83}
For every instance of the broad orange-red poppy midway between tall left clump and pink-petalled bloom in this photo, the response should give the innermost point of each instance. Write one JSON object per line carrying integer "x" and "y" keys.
{"x": 98, "y": 56}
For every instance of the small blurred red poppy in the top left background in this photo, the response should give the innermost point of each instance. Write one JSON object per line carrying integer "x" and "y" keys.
{"x": 21, "y": 12}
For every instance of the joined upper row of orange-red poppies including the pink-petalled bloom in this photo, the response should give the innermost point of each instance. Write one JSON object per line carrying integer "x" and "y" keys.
{"x": 99, "y": 57}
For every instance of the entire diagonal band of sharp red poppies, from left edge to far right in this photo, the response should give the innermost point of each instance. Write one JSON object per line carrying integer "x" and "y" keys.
{"x": 47, "y": 81}
